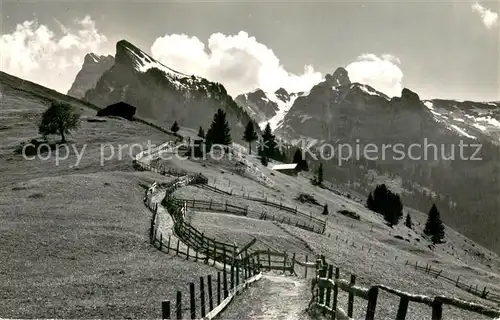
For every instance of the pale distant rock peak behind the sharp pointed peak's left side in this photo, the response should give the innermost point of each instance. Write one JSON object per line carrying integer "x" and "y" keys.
{"x": 93, "y": 68}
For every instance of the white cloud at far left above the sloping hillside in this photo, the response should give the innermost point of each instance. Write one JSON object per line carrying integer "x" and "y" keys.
{"x": 36, "y": 53}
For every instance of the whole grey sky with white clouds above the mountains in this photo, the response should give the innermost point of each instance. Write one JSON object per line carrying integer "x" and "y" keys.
{"x": 446, "y": 49}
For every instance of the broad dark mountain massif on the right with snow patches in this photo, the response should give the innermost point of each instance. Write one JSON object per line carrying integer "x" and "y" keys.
{"x": 337, "y": 111}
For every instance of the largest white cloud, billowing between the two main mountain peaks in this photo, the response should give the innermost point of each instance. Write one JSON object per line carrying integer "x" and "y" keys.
{"x": 239, "y": 61}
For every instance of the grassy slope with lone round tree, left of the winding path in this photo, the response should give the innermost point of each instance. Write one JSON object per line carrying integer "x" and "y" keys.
{"x": 75, "y": 238}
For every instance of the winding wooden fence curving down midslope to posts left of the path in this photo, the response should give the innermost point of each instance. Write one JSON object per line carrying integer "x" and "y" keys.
{"x": 243, "y": 265}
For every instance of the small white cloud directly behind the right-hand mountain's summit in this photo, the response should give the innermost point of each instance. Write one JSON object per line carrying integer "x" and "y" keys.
{"x": 380, "y": 72}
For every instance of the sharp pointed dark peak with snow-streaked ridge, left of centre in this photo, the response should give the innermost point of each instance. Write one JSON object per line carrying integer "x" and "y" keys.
{"x": 164, "y": 95}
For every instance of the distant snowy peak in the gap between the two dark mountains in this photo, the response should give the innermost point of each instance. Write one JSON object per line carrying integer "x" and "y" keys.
{"x": 268, "y": 107}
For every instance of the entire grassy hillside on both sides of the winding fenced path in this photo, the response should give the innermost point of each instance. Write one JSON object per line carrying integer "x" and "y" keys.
{"x": 87, "y": 218}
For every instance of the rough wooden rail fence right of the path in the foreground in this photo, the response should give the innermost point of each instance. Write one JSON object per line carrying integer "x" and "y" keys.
{"x": 328, "y": 284}
